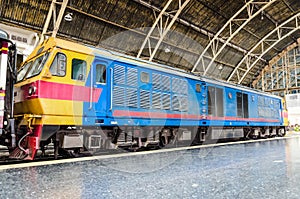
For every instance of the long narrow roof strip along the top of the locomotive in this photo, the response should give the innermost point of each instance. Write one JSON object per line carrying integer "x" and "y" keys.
{"x": 144, "y": 63}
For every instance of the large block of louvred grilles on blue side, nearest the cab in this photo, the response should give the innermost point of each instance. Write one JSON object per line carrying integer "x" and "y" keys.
{"x": 168, "y": 93}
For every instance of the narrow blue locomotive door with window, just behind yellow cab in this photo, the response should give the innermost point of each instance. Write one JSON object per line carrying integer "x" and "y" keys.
{"x": 100, "y": 87}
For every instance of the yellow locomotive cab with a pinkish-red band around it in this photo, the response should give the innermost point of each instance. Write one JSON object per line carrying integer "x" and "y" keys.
{"x": 43, "y": 88}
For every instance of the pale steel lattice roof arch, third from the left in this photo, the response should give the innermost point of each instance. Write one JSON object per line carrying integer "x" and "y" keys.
{"x": 213, "y": 44}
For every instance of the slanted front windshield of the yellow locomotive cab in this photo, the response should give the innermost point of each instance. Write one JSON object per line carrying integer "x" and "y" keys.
{"x": 32, "y": 68}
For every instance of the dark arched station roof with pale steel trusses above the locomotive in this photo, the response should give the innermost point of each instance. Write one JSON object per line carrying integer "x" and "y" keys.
{"x": 231, "y": 40}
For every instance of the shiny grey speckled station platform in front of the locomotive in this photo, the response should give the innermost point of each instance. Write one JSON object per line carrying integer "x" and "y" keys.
{"x": 263, "y": 169}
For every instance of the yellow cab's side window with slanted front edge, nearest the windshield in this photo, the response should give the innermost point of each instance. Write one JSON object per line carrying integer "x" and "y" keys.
{"x": 58, "y": 66}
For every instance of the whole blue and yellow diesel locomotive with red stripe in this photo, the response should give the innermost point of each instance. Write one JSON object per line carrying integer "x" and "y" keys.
{"x": 78, "y": 98}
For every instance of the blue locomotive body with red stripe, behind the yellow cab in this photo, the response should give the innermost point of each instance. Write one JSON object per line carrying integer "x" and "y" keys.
{"x": 141, "y": 95}
